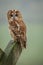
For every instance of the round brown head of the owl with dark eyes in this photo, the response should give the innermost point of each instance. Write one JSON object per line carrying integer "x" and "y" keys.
{"x": 13, "y": 15}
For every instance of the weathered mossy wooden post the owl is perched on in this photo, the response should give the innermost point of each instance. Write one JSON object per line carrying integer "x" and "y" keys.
{"x": 11, "y": 53}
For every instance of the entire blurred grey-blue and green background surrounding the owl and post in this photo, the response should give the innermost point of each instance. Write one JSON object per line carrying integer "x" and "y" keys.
{"x": 32, "y": 12}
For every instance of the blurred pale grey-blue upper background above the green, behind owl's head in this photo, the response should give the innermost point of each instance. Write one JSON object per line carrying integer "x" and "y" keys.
{"x": 32, "y": 10}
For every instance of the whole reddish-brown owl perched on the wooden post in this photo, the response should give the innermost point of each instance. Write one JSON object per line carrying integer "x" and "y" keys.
{"x": 17, "y": 27}
